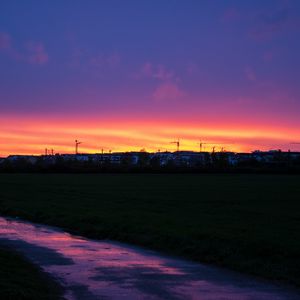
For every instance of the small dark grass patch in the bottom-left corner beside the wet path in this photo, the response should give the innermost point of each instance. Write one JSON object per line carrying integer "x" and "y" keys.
{"x": 20, "y": 280}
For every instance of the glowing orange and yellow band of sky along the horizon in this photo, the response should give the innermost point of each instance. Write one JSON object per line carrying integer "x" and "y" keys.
{"x": 20, "y": 136}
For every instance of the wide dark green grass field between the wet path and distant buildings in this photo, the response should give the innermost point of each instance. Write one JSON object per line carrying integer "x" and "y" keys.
{"x": 249, "y": 223}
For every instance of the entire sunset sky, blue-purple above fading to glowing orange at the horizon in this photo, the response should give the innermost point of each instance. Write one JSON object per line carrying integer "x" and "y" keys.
{"x": 140, "y": 74}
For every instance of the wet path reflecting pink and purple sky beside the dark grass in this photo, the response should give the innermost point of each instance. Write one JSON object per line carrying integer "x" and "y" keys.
{"x": 90, "y": 269}
